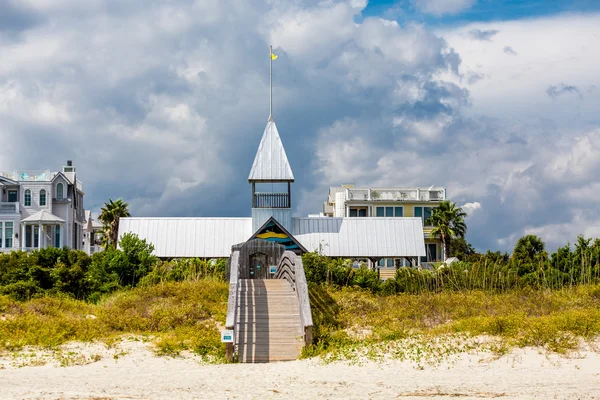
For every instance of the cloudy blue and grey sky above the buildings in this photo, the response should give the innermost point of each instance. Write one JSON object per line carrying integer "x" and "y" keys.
{"x": 164, "y": 103}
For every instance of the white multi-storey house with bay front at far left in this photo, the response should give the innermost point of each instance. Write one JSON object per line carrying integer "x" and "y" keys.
{"x": 40, "y": 209}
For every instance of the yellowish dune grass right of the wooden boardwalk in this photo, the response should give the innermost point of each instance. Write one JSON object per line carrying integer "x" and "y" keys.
{"x": 349, "y": 322}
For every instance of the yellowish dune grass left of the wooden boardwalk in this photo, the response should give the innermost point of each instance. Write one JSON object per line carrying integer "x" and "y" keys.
{"x": 178, "y": 316}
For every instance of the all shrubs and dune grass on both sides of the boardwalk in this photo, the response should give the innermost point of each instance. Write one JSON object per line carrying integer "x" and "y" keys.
{"x": 53, "y": 296}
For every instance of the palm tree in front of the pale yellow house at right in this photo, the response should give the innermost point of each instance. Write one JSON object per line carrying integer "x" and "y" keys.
{"x": 448, "y": 221}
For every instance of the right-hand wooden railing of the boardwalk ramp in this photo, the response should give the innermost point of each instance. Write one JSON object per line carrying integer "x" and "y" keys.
{"x": 291, "y": 268}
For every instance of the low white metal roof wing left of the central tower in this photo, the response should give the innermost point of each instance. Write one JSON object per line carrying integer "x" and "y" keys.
{"x": 189, "y": 237}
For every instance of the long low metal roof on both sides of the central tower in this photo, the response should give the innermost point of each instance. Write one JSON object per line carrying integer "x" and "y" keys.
{"x": 338, "y": 237}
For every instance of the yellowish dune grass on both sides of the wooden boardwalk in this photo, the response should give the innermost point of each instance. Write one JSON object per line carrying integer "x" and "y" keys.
{"x": 349, "y": 322}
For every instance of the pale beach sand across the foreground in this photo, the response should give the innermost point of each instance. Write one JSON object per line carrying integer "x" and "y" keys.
{"x": 132, "y": 371}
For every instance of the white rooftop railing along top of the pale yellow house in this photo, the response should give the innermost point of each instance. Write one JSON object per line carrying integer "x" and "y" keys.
{"x": 391, "y": 194}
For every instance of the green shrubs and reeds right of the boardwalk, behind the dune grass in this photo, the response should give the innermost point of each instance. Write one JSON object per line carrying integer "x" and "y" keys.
{"x": 529, "y": 267}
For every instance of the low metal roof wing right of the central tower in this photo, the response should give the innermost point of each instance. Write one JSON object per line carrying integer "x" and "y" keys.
{"x": 361, "y": 237}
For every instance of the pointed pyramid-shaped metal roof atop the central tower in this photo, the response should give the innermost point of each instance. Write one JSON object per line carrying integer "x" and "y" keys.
{"x": 270, "y": 162}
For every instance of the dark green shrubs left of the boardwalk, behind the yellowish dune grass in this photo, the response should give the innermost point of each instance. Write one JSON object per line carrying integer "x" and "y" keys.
{"x": 70, "y": 273}
